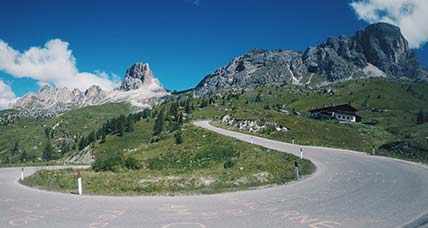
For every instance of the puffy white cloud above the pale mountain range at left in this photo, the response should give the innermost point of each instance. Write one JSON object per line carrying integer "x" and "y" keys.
{"x": 53, "y": 63}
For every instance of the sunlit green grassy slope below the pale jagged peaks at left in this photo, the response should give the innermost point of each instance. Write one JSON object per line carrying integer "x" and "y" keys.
{"x": 63, "y": 132}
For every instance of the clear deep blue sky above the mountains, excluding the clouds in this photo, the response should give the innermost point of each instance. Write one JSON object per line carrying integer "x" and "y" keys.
{"x": 183, "y": 40}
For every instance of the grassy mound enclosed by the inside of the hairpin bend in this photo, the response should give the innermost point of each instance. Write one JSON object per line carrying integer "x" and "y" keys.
{"x": 204, "y": 162}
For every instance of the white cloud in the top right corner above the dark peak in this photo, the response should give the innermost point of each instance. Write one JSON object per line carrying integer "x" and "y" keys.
{"x": 410, "y": 15}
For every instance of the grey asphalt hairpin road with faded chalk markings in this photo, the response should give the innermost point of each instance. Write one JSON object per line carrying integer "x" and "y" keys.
{"x": 349, "y": 189}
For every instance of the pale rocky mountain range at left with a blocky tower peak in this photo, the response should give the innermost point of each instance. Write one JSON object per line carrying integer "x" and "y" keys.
{"x": 139, "y": 88}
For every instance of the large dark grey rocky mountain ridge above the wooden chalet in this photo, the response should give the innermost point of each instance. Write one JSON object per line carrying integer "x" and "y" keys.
{"x": 380, "y": 50}
